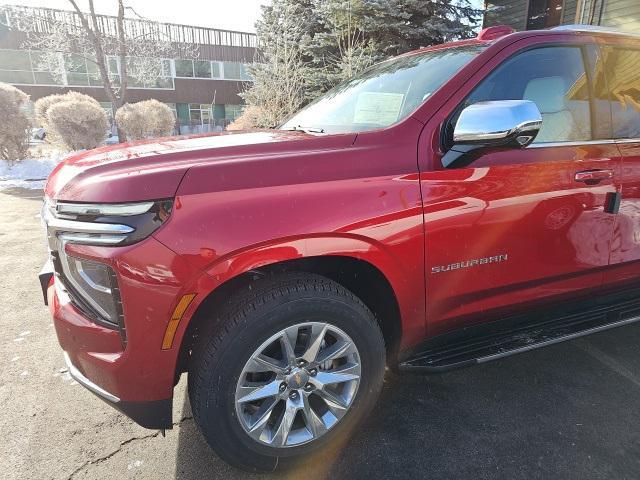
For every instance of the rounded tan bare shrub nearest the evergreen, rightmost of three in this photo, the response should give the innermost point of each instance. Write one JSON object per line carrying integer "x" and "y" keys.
{"x": 145, "y": 119}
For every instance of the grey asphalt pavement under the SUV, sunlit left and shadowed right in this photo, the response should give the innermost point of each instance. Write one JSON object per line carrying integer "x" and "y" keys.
{"x": 563, "y": 412}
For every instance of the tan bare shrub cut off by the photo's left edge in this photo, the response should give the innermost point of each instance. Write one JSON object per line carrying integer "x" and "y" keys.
{"x": 14, "y": 127}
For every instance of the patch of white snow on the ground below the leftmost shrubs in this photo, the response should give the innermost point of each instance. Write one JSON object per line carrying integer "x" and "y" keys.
{"x": 29, "y": 173}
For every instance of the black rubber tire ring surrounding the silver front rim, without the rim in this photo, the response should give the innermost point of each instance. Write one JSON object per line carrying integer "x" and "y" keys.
{"x": 218, "y": 420}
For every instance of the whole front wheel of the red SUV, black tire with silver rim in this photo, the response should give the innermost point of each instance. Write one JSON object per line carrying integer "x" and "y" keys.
{"x": 306, "y": 307}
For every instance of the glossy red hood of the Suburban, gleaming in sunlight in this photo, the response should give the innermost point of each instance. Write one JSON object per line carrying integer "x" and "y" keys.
{"x": 150, "y": 170}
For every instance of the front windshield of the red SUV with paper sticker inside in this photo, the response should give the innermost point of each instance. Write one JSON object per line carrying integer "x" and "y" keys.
{"x": 383, "y": 94}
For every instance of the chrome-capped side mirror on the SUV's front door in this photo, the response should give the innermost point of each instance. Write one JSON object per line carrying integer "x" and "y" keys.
{"x": 495, "y": 124}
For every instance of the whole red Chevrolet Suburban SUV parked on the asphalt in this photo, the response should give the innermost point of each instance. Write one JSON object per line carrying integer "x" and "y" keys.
{"x": 447, "y": 207}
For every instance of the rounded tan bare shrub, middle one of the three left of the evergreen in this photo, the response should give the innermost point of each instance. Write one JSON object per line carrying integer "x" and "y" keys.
{"x": 79, "y": 124}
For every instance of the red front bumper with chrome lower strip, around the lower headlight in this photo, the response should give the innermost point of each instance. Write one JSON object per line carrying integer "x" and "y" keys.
{"x": 136, "y": 378}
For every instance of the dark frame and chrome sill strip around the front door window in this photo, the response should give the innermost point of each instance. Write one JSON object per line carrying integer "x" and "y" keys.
{"x": 446, "y": 132}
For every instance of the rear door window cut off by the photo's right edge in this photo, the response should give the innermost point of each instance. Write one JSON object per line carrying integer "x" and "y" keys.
{"x": 623, "y": 77}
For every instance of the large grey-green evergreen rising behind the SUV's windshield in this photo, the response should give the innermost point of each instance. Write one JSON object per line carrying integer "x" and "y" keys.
{"x": 308, "y": 46}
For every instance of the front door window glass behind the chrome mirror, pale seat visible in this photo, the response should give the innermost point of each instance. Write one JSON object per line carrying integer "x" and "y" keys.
{"x": 554, "y": 79}
